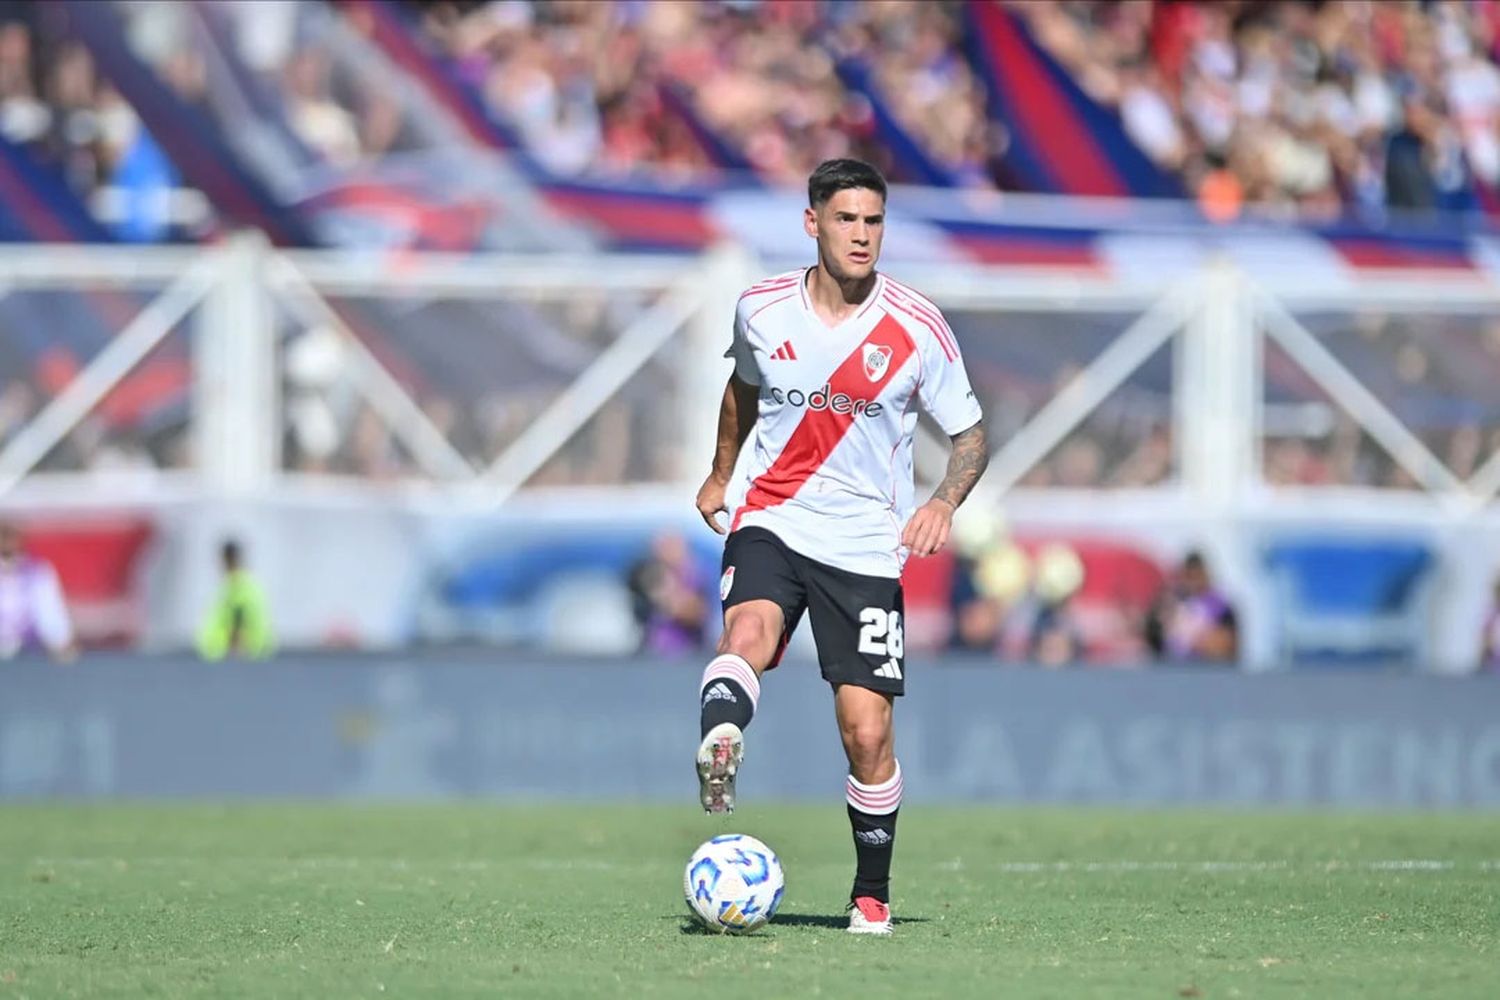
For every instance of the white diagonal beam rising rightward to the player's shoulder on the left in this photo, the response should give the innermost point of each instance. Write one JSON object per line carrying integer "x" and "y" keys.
{"x": 574, "y": 409}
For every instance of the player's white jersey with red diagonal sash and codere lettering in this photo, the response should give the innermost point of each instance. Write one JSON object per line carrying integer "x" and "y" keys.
{"x": 830, "y": 463}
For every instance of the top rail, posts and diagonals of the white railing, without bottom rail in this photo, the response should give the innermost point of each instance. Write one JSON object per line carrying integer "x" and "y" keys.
{"x": 1217, "y": 320}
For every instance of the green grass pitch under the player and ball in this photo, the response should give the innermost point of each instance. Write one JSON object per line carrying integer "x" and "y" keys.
{"x": 566, "y": 902}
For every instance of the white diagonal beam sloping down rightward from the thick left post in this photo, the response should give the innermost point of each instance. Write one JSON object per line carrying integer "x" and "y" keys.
{"x": 428, "y": 446}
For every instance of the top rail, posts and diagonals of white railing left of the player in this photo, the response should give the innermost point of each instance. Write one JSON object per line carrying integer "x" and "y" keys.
{"x": 238, "y": 355}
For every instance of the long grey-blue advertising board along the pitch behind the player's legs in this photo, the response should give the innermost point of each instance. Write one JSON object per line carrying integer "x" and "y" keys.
{"x": 469, "y": 726}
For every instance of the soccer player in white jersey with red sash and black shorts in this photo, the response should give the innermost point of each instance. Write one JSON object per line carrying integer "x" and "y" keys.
{"x": 832, "y": 364}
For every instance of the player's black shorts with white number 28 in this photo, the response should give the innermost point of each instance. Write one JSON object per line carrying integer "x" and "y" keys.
{"x": 857, "y": 620}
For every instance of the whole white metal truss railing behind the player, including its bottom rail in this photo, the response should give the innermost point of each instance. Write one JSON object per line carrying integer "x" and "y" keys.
{"x": 1217, "y": 323}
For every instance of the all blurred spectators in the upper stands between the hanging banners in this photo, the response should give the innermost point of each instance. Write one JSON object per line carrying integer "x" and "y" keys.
{"x": 1283, "y": 106}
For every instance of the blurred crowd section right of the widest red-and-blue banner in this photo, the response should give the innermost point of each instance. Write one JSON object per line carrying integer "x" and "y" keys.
{"x": 1297, "y": 106}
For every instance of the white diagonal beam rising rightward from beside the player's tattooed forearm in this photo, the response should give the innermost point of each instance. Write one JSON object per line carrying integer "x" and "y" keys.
{"x": 1082, "y": 397}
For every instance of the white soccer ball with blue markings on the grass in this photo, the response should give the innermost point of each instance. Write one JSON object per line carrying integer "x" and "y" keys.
{"x": 734, "y": 884}
